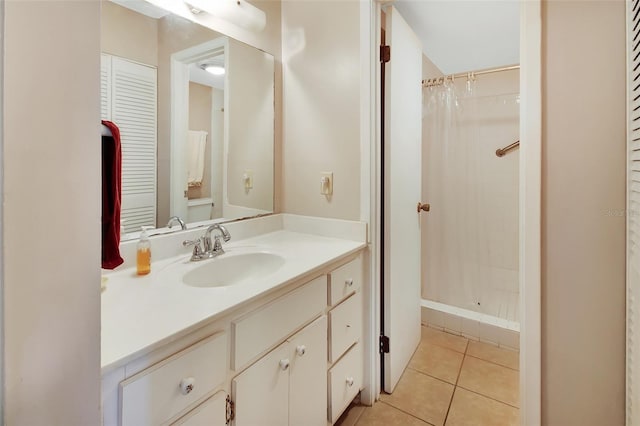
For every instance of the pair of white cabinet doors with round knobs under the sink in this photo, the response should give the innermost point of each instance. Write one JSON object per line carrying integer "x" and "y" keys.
{"x": 288, "y": 385}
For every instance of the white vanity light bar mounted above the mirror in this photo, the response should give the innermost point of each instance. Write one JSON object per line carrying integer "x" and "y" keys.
{"x": 237, "y": 12}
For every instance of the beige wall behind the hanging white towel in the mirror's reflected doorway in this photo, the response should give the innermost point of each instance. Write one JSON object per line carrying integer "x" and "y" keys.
{"x": 200, "y": 116}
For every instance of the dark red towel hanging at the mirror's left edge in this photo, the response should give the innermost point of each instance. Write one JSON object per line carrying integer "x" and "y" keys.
{"x": 111, "y": 197}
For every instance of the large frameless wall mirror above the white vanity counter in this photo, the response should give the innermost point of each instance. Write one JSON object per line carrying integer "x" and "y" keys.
{"x": 195, "y": 110}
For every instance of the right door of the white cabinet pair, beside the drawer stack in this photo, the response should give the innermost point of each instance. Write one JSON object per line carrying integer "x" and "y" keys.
{"x": 308, "y": 377}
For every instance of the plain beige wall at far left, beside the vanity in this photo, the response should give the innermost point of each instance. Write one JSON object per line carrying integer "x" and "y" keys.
{"x": 51, "y": 241}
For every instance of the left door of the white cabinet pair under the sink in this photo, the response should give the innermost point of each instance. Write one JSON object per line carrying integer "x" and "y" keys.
{"x": 261, "y": 393}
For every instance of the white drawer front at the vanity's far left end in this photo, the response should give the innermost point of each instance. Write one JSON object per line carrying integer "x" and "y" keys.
{"x": 160, "y": 392}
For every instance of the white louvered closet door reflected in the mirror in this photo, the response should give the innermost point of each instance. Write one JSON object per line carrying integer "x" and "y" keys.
{"x": 134, "y": 110}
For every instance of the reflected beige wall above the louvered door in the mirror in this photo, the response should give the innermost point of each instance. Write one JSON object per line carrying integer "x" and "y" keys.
{"x": 128, "y": 34}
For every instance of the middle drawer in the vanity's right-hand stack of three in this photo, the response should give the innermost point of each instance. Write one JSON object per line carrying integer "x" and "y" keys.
{"x": 345, "y": 322}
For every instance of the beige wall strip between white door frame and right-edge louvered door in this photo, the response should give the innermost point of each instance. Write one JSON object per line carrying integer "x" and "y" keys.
{"x": 583, "y": 259}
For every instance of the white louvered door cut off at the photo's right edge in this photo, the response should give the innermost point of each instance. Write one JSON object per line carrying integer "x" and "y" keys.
{"x": 633, "y": 213}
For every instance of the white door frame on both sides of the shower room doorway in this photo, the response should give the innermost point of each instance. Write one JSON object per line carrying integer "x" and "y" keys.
{"x": 530, "y": 176}
